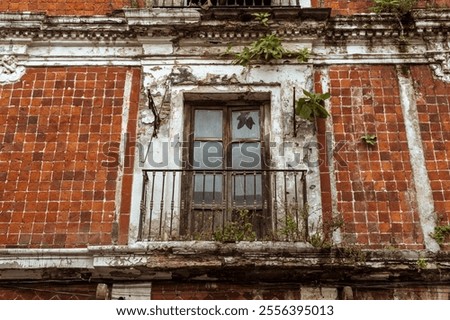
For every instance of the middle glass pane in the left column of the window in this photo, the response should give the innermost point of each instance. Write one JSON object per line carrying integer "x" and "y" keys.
{"x": 208, "y": 155}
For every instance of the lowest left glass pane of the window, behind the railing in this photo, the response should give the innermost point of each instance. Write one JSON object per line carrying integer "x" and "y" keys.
{"x": 208, "y": 188}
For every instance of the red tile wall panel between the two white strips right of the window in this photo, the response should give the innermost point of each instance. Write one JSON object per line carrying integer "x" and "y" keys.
{"x": 374, "y": 187}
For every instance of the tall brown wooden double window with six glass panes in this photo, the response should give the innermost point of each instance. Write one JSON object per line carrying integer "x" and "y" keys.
{"x": 225, "y": 162}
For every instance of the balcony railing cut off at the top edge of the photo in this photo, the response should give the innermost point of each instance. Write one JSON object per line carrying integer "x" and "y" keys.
{"x": 225, "y": 3}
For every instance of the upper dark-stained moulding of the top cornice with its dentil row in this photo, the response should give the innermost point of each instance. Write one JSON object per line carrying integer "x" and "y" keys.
{"x": 154, "y": 21}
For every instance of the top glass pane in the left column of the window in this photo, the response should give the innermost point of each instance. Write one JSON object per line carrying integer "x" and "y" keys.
{"x": 208, "y": 124}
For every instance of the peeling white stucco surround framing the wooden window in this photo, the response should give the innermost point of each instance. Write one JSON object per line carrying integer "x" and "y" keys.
{"x": 169, "y": 85}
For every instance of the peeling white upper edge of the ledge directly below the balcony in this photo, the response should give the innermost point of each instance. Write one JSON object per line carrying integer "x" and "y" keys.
{"x": 130, "y": 255}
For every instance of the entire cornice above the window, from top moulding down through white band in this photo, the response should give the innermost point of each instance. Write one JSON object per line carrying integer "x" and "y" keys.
{"x": 373, "y": 38}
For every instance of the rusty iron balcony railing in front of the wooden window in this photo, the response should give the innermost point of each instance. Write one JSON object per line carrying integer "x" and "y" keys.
{"x": 226, "y": 205}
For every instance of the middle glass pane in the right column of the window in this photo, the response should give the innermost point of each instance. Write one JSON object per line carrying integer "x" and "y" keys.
{"x": 246, "y": 155}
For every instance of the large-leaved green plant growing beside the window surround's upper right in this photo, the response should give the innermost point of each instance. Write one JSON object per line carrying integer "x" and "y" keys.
{"x": 311, "y": 106}
